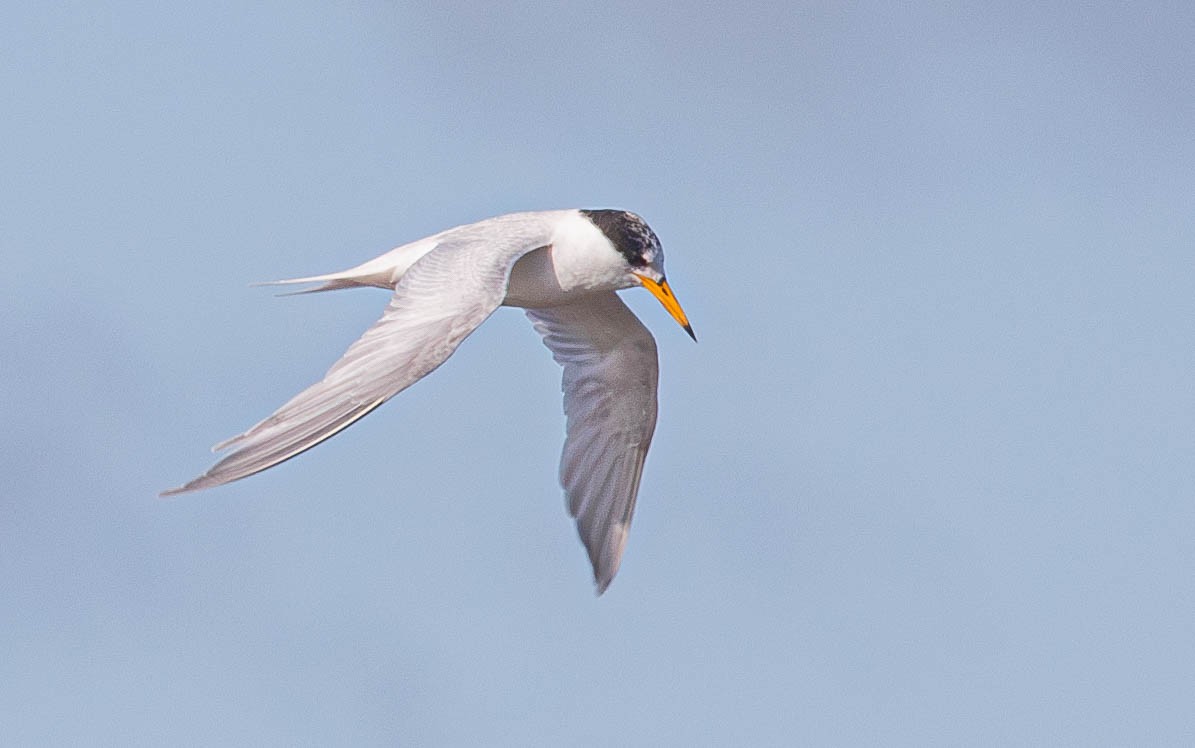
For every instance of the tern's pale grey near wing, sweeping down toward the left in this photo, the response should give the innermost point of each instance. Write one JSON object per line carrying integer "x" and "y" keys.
{"x": 437, "y": 305}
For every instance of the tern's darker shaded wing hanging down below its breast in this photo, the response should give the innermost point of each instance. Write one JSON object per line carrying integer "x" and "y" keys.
{"x": 611, "y": 372}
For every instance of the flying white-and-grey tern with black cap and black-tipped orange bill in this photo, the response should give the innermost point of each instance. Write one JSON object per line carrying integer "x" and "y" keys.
{"x": 562, "y": 267}
